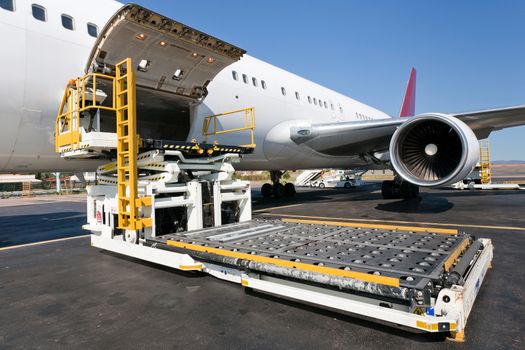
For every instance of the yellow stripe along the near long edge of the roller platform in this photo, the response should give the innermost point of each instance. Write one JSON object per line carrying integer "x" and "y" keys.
{"x": 389, "y": 281}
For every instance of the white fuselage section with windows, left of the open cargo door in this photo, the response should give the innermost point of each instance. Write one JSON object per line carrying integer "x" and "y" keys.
{"x": 37, "y": 60}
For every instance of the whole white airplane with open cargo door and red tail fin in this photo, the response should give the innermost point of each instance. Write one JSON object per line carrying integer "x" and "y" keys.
{"x": 185, "y": 75}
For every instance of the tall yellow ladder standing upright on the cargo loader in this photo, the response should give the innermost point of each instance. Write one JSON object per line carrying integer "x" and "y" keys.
{"x": 127, "y": 150}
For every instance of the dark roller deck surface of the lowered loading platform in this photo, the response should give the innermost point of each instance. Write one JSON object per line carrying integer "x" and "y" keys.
{"x": 414, "y": 259}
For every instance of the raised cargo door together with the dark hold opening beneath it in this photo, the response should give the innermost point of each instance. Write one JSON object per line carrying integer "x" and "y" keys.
{"x": 173, "y": 63}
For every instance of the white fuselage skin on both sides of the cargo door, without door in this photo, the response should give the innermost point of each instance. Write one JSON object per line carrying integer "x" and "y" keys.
{"x": 40, "y": 57}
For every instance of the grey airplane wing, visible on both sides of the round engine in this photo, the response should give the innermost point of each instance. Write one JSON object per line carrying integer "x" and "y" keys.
{"x": 367, "y": 137}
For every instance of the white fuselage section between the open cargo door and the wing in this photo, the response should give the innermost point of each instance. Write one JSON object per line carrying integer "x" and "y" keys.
{"x": 277, "y": 111}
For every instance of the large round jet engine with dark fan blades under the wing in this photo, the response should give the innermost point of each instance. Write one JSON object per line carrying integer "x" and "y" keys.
{"x": 434, "y": 150}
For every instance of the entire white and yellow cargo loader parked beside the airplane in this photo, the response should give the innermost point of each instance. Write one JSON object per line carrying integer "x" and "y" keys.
{"x": 176, "y": 203}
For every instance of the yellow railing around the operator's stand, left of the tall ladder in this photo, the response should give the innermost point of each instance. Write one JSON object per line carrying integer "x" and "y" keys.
{"x": 74, "y": 102}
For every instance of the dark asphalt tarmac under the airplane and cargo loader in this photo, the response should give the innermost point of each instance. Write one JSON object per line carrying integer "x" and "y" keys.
{"x": 58, "y": 292}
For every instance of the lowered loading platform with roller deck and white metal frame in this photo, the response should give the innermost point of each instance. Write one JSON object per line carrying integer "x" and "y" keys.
{"x": 422, "y": 279}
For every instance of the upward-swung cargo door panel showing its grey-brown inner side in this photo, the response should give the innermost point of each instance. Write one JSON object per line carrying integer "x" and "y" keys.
{"x": 169, "y": 56}
